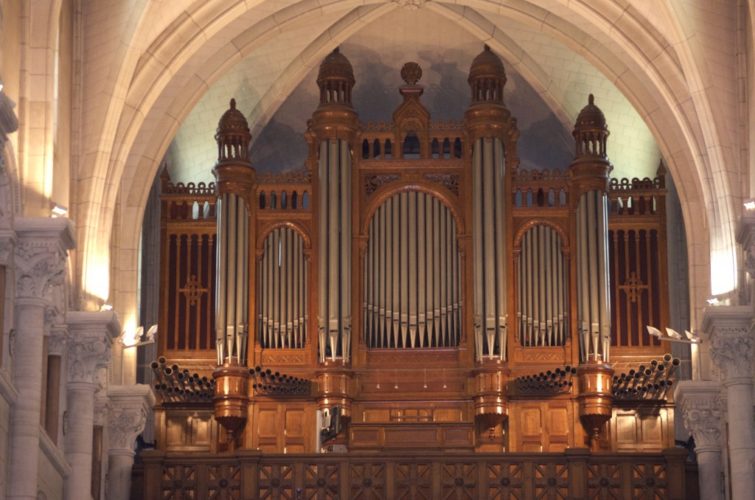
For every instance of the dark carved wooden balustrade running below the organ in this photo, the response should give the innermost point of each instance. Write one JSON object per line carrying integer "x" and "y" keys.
{"x": 573, "y": 474}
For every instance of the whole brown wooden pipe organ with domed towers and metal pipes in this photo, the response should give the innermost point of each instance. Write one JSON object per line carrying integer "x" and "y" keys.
{"x": 414, "y": 277}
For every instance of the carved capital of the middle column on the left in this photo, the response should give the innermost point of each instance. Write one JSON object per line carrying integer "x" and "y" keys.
{"x": 90, "y": 340}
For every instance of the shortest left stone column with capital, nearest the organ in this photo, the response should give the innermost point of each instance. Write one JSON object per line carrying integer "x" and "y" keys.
{"x": 129, "y": 407}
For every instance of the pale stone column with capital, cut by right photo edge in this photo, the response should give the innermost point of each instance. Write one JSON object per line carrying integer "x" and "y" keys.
{"x": 729, "y": 330}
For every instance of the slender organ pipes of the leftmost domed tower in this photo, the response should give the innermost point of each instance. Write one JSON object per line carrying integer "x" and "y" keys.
{"x": 231, "y": 304}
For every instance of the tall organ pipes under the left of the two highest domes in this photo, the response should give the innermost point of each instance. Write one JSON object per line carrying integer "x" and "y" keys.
{"x": 334, "y": 317}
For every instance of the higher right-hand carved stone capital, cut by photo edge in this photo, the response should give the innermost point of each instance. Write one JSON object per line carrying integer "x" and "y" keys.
{"x": 729, "y": 331}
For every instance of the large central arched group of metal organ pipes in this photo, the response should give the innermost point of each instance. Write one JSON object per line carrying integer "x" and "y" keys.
{"x": 412, "y": 275}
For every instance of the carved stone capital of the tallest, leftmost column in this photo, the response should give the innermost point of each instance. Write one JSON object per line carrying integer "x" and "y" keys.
{"x": 40, "y": 256}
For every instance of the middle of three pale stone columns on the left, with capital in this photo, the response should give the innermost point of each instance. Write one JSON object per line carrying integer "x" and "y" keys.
{"x": 91, "y": 335}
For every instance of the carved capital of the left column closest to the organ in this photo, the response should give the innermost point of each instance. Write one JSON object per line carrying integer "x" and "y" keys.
{"x": 128, "y": 410}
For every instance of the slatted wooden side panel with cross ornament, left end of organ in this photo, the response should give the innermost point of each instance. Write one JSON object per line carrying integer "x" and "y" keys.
{"x": 187, "y": 312}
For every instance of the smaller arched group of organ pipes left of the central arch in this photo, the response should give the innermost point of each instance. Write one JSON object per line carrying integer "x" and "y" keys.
{"x": 282, "y": 291}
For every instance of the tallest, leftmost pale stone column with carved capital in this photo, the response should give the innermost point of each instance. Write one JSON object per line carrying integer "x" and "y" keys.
{"x": 40, "y": 260}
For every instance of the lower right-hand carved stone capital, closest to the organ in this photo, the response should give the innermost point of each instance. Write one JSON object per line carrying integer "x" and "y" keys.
{"x": 701, "y": 408}
